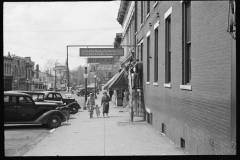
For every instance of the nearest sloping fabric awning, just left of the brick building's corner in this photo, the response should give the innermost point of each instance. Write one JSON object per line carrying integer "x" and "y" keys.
{"x": 119, "y": 82}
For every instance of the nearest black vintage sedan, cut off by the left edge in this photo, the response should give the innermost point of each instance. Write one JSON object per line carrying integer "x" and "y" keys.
{"x": 19, "y": 108}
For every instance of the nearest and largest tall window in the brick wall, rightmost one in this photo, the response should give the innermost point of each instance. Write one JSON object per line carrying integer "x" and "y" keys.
{"x": 186, "y": 43}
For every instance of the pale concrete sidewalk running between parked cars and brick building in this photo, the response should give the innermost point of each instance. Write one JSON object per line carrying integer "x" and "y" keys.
{"x": 112, "y": 136}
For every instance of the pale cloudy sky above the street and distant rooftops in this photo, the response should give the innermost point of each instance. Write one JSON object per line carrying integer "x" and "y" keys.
{"x": 43, "y": 30}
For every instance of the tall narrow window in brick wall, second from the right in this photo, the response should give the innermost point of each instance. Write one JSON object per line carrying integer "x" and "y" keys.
{"x": 168, "y": 50}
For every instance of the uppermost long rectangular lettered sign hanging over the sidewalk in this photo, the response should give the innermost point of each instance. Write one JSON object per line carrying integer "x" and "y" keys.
{"x": 101, "y": 52}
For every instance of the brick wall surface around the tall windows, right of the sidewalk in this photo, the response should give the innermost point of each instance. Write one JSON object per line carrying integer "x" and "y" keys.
{"x": 200, "y": 116}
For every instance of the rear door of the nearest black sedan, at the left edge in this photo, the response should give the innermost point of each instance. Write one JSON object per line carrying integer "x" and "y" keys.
{"x": 10, "y": 108}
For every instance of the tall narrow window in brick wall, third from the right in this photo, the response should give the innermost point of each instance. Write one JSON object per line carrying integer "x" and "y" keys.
{"x": 156, "y": 56}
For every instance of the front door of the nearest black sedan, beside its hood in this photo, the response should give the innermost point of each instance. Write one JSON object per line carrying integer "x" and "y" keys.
{"x": 26, "y": 109}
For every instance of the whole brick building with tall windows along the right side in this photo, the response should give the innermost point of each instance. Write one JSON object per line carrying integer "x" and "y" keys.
{"x": 189, "y": 70}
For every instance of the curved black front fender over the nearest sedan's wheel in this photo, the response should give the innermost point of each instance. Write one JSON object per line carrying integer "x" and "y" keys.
{"x": 44, "y": 117}
